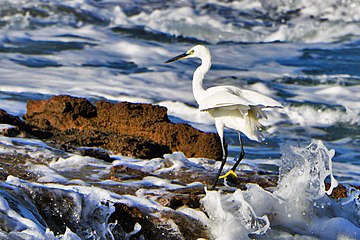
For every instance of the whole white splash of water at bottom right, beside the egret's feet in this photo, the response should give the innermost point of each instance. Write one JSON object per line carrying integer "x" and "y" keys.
{"x": 299, "y": 205}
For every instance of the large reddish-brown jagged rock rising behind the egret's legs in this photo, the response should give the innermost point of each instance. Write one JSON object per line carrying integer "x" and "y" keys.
{"x": 140, "y": 130}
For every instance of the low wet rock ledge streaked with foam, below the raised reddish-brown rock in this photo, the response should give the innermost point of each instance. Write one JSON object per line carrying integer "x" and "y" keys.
{"x": 59, "y": 209}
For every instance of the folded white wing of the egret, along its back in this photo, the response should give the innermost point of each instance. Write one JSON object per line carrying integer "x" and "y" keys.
{"x": 233, "y": 97}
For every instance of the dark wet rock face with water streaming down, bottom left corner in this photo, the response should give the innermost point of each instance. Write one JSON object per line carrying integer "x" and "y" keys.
{"x": 58, "y": 209}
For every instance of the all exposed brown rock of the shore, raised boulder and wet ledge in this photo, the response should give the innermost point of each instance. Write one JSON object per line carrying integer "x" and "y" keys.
{"x": 75, "y": 126}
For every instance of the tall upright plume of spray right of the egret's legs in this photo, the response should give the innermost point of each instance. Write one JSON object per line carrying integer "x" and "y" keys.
{"x": 306, "y": 167}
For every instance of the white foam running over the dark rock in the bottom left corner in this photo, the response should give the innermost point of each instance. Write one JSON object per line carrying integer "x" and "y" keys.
{"x": 91, "y": 197}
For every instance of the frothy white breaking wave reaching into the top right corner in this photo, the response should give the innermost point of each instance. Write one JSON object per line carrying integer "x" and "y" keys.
{"x": 314, "y": 22}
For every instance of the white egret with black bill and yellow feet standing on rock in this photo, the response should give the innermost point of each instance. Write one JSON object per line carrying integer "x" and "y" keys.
{"x": 230, "y": 106}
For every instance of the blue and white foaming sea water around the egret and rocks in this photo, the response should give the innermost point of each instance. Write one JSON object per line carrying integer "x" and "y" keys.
{"x": 305, "y": 54}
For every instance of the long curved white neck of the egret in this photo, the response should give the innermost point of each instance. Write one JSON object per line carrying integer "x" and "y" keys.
{"x": 198, "y": 78}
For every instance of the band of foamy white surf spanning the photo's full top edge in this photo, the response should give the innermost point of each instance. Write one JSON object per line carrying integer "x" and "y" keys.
{"x": 327, "y": 21}
